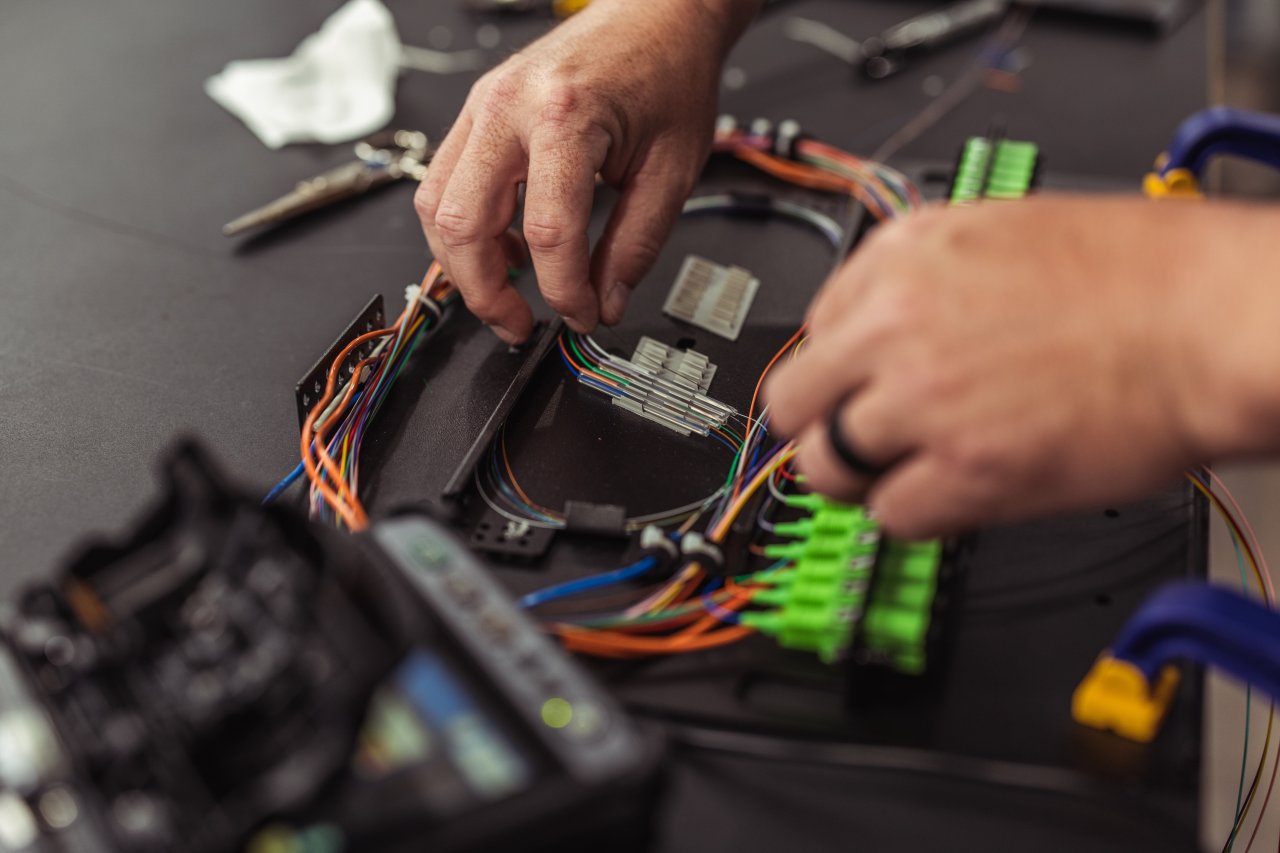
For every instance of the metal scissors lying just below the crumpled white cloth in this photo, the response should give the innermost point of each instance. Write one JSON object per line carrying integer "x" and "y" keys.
{"x": 397, "y": 156}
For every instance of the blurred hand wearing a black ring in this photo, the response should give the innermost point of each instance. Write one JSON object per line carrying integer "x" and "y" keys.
{"x": 1021, "y": 359}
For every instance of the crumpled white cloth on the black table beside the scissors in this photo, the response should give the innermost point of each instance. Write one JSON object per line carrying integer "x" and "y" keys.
{"x": 340, "y": 85}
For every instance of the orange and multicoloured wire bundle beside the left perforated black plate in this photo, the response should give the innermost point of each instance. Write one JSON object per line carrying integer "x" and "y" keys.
{"x": 335, "y": 431}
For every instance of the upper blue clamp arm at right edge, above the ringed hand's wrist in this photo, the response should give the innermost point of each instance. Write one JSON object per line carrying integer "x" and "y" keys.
{"x": 1224, "y": 130}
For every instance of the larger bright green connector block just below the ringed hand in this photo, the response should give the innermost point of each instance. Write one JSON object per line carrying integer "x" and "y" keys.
{"x": 847, "y": 586}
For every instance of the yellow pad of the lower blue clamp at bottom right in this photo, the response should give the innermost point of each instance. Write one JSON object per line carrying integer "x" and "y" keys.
{"x": 1116, "y": 697}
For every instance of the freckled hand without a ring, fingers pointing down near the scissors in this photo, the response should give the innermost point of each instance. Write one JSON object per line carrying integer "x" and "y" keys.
{"x": 624, "y": 90}
